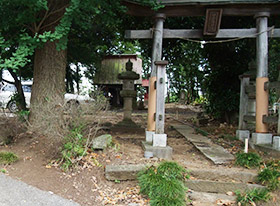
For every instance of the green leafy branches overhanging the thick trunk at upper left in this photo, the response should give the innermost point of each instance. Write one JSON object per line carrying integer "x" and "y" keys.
{"x": 18, "y": 39}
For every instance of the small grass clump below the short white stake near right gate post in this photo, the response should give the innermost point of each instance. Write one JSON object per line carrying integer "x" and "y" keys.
{"x": 248, "y": 160}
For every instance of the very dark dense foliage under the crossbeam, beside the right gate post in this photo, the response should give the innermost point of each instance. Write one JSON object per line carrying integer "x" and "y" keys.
{"x": 226, "y": 62}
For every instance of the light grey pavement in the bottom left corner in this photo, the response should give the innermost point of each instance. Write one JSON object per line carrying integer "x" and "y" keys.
{"x": 17, "y": 193}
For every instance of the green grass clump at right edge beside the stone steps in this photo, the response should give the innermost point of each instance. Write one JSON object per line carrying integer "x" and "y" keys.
{"x": 270, "y": 174}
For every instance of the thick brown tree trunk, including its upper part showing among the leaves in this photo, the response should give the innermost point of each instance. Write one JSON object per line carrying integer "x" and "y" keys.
{"x": 49, "y": 67}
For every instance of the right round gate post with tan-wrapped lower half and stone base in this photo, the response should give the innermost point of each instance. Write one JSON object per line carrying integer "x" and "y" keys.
{"x": 261, "y": 136}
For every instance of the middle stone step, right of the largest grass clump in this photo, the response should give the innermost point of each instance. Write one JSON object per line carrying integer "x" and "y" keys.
{"x": 219, "y": 187}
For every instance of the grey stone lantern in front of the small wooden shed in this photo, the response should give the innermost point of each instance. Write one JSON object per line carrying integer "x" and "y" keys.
{"x": 128, "y": 92}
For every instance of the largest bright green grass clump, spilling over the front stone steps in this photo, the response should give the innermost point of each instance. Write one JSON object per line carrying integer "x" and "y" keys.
{"x": 164, "y": 185}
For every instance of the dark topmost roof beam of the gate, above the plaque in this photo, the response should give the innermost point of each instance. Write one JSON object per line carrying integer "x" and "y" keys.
{"x": 198, "y": 7}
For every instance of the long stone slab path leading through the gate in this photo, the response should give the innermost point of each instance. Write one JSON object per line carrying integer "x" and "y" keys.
{"x": 215, "y": 153}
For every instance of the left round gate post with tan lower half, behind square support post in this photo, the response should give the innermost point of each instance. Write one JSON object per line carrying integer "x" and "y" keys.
{"x": 156, "y": 56}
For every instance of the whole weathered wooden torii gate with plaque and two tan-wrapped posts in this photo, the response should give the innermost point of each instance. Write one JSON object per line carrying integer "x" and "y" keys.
{"x": 213, "y": 10}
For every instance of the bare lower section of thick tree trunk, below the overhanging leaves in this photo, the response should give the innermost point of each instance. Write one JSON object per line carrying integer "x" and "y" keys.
{"x": 48, "y": 80}
